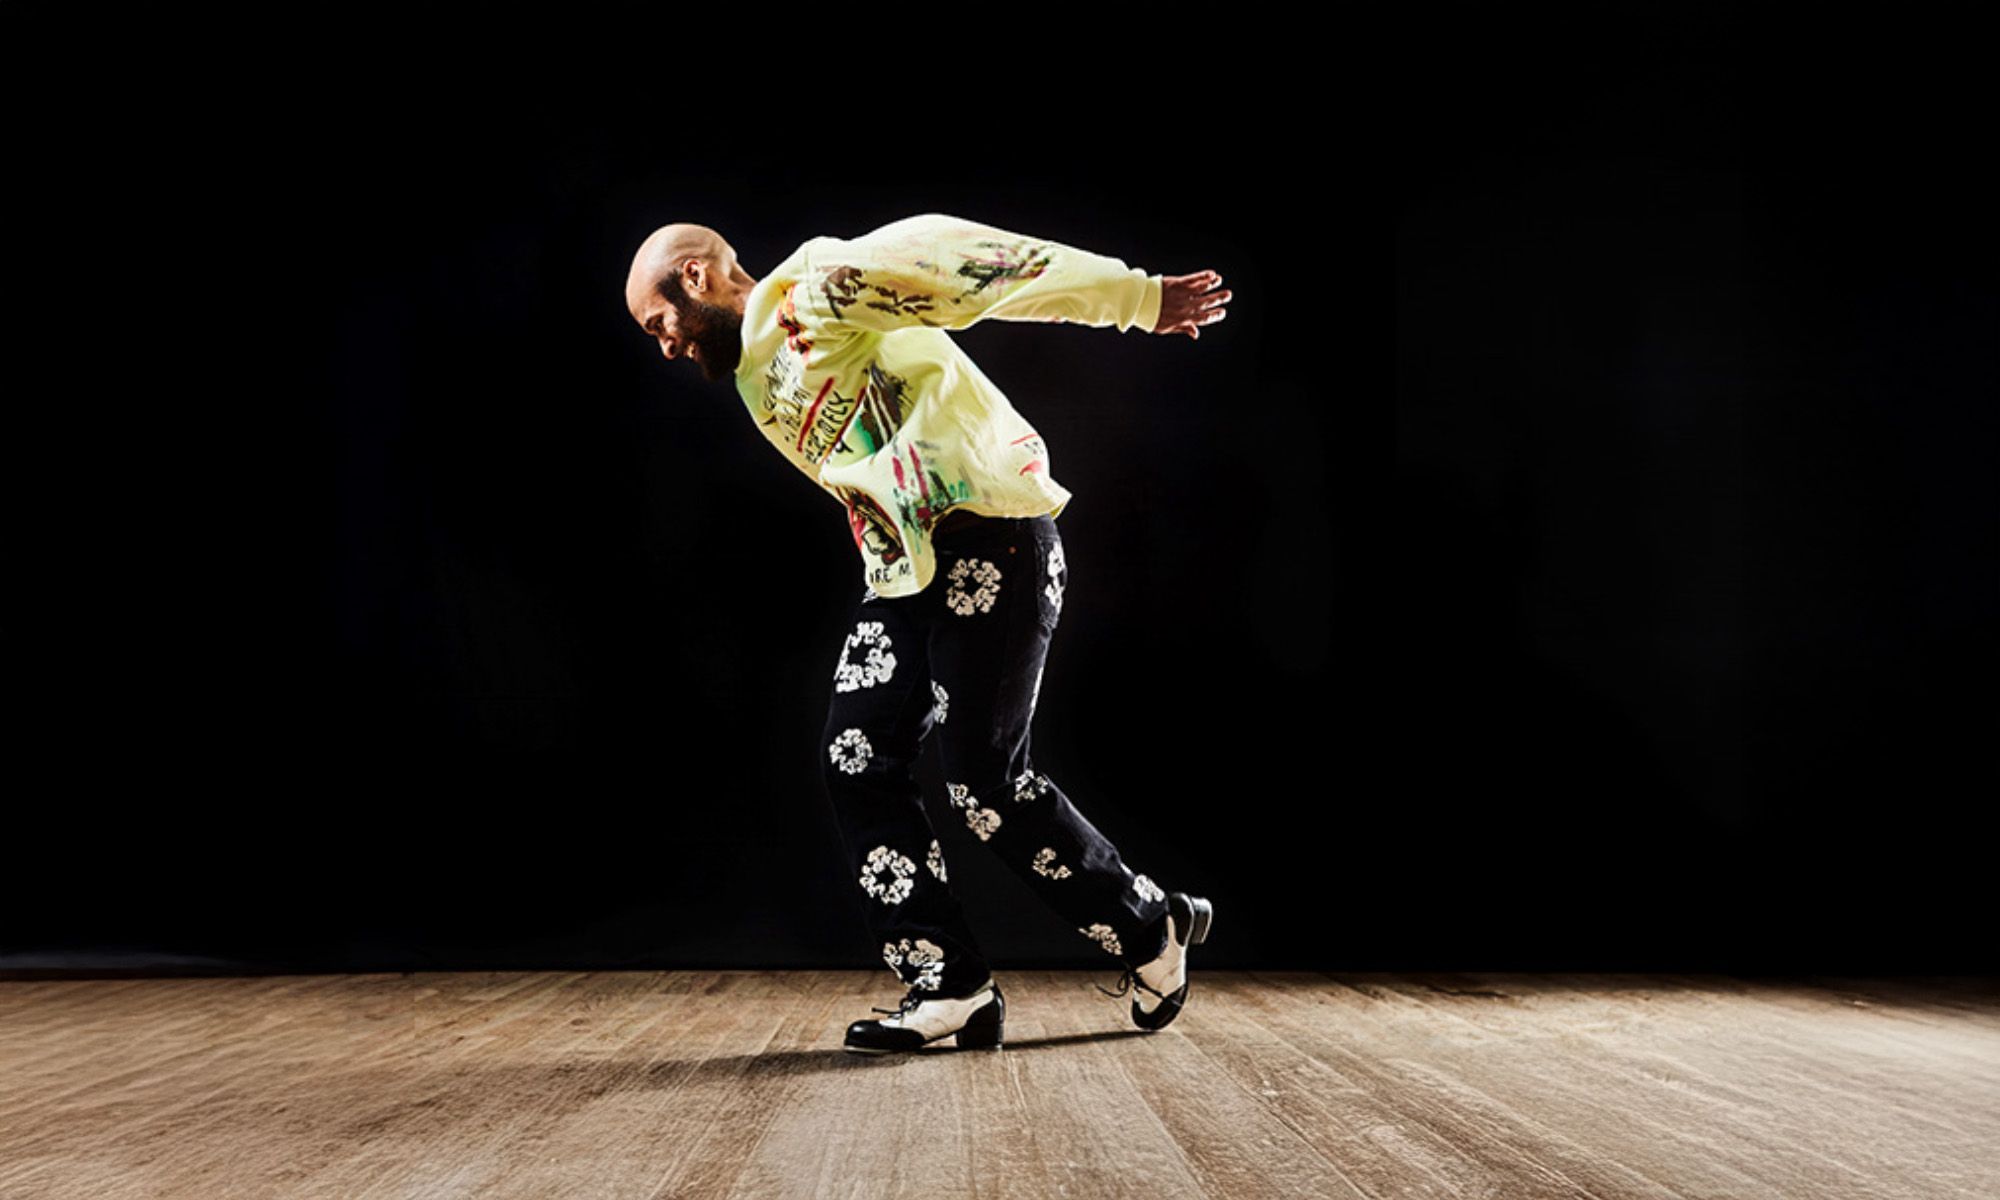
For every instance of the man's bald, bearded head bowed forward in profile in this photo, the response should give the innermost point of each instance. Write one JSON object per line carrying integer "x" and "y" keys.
{"x": 687, "y": 291}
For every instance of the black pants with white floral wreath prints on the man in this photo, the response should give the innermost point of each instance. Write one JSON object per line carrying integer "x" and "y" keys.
{"x": 965, "y": 659}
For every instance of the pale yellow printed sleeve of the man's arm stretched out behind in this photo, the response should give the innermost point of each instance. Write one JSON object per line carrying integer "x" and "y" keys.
{"x": 949, "y": 273}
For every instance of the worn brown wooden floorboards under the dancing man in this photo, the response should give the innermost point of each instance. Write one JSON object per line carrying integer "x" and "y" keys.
{"x": 1281, "y": 1085}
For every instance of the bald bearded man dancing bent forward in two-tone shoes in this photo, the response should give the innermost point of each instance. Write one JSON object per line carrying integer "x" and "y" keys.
{"x": 845, "y": 363}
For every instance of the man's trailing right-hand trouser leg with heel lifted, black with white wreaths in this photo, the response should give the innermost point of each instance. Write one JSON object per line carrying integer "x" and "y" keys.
{"x": 999, "y": 595}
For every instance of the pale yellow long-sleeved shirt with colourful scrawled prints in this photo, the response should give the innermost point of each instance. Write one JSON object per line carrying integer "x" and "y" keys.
{"x": 851, "y": 373}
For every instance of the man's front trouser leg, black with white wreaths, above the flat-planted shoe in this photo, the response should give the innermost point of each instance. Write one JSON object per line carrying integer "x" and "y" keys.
{"x": 881, "y": 711}
